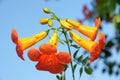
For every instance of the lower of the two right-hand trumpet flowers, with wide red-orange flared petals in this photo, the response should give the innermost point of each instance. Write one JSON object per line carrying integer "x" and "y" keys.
{"x": 93, "y": 47}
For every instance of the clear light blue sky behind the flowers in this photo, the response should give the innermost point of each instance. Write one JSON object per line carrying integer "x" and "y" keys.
{"x": 24, "y": 15}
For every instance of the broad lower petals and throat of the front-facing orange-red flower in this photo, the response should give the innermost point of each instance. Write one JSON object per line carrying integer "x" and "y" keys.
{"x": 49, "y": 63}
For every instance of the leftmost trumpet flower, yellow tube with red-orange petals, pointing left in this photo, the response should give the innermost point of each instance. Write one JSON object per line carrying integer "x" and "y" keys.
{"x": 24, "y": 43}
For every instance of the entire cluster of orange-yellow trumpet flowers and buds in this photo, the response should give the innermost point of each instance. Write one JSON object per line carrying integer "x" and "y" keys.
{"x": 46, "y": 55}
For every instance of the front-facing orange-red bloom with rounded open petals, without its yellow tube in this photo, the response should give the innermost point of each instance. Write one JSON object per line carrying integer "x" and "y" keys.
{"x": 48, "y": 58}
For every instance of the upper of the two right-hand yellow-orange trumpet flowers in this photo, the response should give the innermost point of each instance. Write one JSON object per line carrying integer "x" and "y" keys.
{"x": 86, "y": 30}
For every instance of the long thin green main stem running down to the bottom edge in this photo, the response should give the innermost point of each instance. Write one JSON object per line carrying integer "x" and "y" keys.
{"x": 68, "y": 45}
